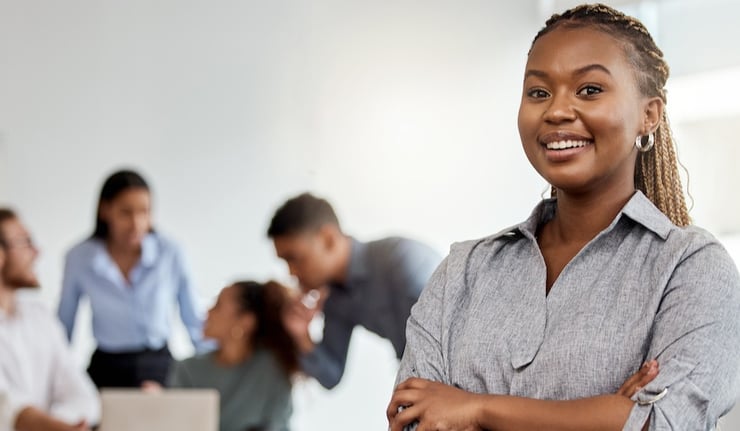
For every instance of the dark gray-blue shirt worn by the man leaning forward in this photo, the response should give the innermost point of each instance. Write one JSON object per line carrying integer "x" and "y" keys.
{"x": 384, "y": 279}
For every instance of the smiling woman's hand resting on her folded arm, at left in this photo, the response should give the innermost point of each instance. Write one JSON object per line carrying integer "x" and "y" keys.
{"x": 434, "y": 405}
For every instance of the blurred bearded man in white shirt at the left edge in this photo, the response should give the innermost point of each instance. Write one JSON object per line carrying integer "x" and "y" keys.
{"x": 41, "y": 388}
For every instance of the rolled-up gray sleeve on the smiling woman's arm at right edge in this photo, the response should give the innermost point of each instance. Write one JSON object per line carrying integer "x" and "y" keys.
{"x": 695, "y": 339}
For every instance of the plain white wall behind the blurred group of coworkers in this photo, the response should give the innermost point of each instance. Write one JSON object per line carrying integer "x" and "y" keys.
{"x": 403, "y": 114}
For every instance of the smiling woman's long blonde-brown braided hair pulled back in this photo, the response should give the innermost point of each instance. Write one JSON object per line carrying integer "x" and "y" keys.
{"x": 656, "y": 172}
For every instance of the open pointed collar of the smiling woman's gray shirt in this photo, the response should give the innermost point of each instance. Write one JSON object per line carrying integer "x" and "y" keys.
{"x": 639, "y": 209}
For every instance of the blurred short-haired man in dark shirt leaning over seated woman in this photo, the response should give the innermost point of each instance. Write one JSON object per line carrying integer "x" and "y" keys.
{"x": 372, "y": 284}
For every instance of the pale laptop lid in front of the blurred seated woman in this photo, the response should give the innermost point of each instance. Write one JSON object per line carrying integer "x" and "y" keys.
{"x": 169, "y": 409}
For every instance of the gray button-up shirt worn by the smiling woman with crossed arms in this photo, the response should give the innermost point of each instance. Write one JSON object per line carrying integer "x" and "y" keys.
{"x": 642, "y": 288}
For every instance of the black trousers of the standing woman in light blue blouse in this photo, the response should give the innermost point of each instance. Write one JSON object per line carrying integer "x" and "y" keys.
{"x": 129, "y": 369}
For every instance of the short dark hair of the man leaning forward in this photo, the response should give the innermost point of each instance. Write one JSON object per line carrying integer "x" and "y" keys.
{"x": 302, "y": 213}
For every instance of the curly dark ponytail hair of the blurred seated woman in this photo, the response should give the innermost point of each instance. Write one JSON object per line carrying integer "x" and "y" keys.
{"x": 267, "y": 301}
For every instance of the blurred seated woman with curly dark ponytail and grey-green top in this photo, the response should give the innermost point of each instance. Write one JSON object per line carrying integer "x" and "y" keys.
{"x": 254, "y": 362}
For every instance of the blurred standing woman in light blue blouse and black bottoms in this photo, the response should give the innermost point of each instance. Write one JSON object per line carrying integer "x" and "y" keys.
{"x": 133, "y": 277}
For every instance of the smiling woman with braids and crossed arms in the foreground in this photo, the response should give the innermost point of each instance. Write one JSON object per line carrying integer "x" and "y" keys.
{"x": 545, "y": 325}
